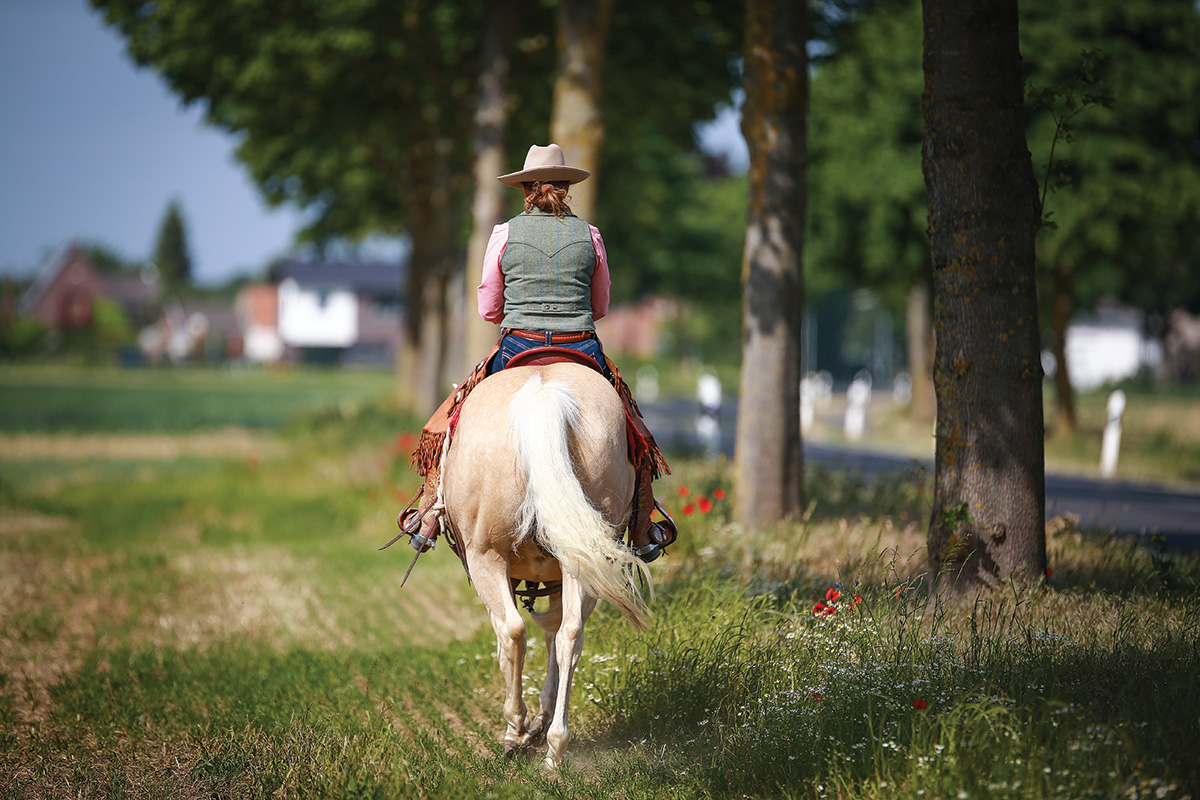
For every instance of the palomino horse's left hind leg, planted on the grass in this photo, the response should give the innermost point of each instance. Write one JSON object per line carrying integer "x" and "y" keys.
{"x": 491, "y": 576}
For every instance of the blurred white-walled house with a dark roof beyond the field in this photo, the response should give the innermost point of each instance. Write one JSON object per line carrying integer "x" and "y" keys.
{"x": 346, "y": 312}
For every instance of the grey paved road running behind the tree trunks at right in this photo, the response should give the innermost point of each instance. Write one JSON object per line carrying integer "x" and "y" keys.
{"x": 1127, "y": 508}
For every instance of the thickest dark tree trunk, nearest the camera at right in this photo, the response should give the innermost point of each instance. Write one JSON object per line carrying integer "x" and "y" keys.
{"x": 989, "y": 497}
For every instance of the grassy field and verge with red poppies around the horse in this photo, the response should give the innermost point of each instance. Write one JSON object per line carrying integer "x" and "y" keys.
{"x": 199, "y": 609}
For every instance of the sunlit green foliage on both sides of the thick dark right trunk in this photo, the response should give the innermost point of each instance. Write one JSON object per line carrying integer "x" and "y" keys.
{"x": 1130, "y": 220}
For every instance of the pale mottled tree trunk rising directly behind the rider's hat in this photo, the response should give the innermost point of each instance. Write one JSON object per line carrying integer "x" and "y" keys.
{"x": 577, "y": 124}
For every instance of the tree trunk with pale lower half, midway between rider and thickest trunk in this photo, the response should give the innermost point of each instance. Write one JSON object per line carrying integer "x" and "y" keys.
{"x": 770, "y": 462}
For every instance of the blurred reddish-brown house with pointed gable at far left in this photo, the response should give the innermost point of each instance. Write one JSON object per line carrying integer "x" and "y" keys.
{"x": 64, "y": 296}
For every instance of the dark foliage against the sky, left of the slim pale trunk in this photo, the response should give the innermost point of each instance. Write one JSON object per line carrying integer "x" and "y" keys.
{"x": 333, "y": 101}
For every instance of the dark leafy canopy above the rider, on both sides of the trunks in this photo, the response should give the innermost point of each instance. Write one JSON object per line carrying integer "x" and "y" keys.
{"x": 340, "y": 104}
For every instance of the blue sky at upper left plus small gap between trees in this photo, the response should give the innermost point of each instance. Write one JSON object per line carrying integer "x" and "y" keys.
{"x": 93, "y": 151}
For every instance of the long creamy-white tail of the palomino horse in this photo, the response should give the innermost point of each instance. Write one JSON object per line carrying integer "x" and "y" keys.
{"x": 557, "y": 512}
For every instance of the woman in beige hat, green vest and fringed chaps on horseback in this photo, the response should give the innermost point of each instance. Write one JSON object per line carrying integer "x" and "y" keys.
{"x": 545, "y": 284}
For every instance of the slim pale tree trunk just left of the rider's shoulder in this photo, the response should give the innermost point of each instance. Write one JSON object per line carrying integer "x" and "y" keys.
{"x": 488, "y": 209}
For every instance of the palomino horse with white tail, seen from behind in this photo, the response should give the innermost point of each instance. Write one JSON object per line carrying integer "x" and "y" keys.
{"x": 539, "y": 486}
